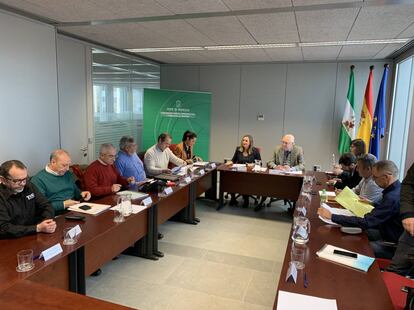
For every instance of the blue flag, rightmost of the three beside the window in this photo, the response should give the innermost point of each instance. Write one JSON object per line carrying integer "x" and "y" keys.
{"x": 378, "y": 122}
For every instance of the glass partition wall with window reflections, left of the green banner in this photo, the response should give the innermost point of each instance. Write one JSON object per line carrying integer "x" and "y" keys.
{"x": 118, "y": 83}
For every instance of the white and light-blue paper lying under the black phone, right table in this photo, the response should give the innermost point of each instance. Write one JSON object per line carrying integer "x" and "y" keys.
{"x": 362, "y": 262}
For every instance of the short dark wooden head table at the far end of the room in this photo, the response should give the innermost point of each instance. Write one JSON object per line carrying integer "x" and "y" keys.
{"x": 249, "y": 182}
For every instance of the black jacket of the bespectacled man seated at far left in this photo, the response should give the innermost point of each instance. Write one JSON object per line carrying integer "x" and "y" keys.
{"x": 20, "y": 213}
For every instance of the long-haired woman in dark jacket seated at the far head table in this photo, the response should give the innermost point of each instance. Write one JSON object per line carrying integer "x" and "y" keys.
{"x": 246, "y": 153}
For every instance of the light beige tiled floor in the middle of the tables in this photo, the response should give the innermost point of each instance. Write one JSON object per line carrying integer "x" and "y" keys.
{"x": 230, "y": 260}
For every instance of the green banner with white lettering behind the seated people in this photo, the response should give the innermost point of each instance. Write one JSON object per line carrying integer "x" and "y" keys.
{"x": 175, "y": 112}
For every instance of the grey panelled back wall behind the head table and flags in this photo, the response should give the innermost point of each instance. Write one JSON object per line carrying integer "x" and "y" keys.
{"x": 305, "y": 99}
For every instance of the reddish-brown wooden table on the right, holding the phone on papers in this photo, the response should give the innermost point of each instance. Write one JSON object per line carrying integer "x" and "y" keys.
{"x": 352, "y": 289}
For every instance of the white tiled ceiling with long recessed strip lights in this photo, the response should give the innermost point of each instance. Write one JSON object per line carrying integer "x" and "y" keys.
{"x": 119, "y": 23}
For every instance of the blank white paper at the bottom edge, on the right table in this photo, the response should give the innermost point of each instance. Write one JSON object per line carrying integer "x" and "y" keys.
{"x": 290, "y": 301}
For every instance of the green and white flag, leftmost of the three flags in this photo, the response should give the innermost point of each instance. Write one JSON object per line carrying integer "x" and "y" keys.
{"x": 347, "y": 133}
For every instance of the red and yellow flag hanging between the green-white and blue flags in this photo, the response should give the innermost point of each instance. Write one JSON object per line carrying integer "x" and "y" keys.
{"x": 365, "y": 123}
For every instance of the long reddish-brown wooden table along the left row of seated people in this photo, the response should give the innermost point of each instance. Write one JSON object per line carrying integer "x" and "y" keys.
{"x": 101, "y": 239}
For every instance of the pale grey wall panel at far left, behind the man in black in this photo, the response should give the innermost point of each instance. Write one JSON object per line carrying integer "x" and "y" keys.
{"x": 29, "y": 123}
